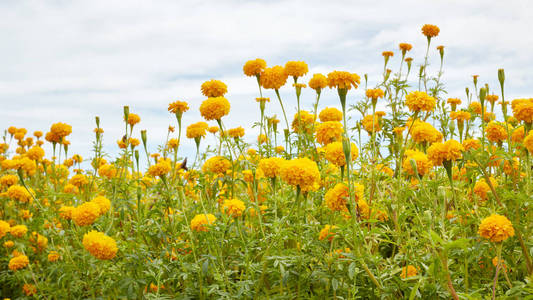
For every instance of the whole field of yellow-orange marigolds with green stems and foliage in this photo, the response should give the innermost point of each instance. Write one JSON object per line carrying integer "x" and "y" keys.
{"x": 426, "y": 199}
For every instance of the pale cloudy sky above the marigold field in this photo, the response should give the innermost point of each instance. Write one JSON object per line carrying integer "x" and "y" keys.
{"x": 69, "y": 61}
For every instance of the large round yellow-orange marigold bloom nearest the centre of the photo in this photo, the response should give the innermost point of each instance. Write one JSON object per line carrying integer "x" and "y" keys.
{"x": 300, "y": 172}
